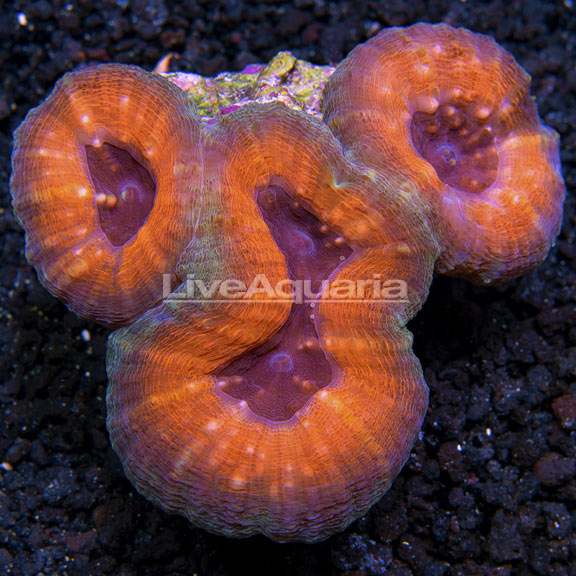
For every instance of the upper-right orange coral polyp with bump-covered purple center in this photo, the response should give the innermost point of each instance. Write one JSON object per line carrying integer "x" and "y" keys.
{"x": 446, "y": 115}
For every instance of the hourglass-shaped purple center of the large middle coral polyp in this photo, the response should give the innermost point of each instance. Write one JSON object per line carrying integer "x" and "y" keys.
{"x": 277, "y": 378}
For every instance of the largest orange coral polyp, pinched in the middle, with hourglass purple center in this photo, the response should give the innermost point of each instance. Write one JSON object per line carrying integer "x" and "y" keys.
{"x": 315, "y": 461}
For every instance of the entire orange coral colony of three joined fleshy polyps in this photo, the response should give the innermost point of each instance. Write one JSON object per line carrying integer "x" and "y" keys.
{"x": 264, "y": 261}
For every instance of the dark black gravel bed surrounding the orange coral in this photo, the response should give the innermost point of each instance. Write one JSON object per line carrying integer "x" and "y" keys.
{"x": 489, "y": 490}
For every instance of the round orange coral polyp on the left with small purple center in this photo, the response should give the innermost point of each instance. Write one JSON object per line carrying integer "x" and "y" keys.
{"x": 112, "y": 148}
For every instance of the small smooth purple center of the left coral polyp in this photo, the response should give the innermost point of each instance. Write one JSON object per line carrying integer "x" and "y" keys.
{"x": 124, "y": 191}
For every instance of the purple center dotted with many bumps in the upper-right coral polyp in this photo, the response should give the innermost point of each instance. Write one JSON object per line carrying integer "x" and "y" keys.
{"x": 460, "y": 147}
